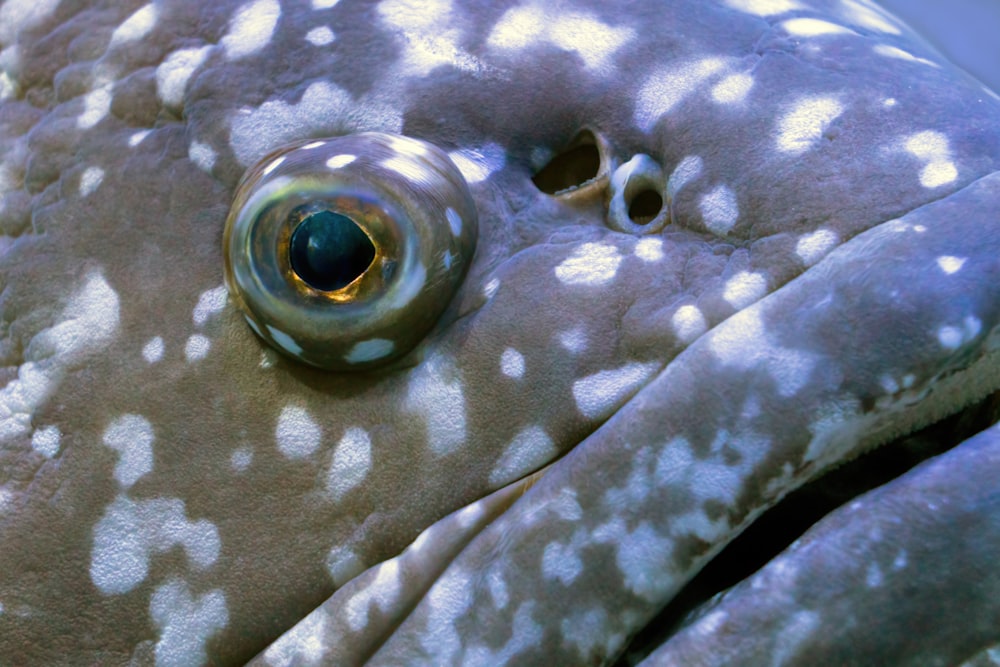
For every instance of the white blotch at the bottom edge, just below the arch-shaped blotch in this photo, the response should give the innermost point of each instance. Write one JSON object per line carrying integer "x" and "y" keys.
{"x": 186, "y": 623}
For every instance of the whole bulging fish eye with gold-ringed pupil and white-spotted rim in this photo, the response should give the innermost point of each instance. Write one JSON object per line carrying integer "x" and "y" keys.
{"x": 344, "y": 252}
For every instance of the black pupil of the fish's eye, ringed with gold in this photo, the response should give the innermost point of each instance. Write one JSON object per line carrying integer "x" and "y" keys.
{"x": 328, "y": 251}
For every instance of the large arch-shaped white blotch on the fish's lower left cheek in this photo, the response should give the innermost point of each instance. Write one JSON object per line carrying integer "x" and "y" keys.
{"x": 130, "y": 531}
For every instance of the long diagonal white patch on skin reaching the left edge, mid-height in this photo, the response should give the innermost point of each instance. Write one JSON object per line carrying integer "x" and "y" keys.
{"x": 87, "y": 326}
